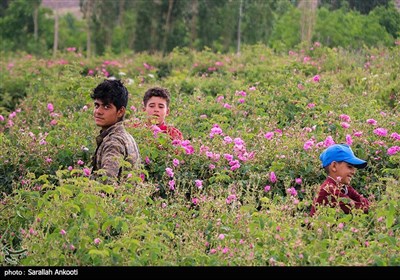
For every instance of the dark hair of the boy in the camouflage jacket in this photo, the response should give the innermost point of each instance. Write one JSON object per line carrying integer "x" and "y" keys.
{"x": 111, "y": 92}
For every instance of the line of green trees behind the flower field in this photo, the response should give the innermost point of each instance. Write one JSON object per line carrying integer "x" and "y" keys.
{"x": 119, "y": 26}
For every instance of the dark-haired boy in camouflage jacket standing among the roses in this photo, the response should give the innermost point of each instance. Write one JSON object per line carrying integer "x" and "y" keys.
{"x": 114, "y": 144}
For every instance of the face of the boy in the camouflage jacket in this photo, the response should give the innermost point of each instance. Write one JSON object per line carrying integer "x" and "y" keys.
{"x": 106, "y": 115}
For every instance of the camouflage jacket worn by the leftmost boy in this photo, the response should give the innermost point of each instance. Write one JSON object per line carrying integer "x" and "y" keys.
{"x": 115, "y": 145}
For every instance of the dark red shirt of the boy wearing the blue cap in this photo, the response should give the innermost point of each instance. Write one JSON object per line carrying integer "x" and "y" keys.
{"x": 330, "y": 193}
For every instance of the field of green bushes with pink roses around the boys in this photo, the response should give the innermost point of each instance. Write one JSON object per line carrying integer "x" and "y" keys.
{"x": 236, "y": 192}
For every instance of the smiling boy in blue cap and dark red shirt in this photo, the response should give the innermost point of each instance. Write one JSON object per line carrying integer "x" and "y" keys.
{"x": 340, "y": 164}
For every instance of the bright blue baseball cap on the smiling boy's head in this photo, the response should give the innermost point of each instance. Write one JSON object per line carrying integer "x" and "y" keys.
{"x": 341, "y": 152}
